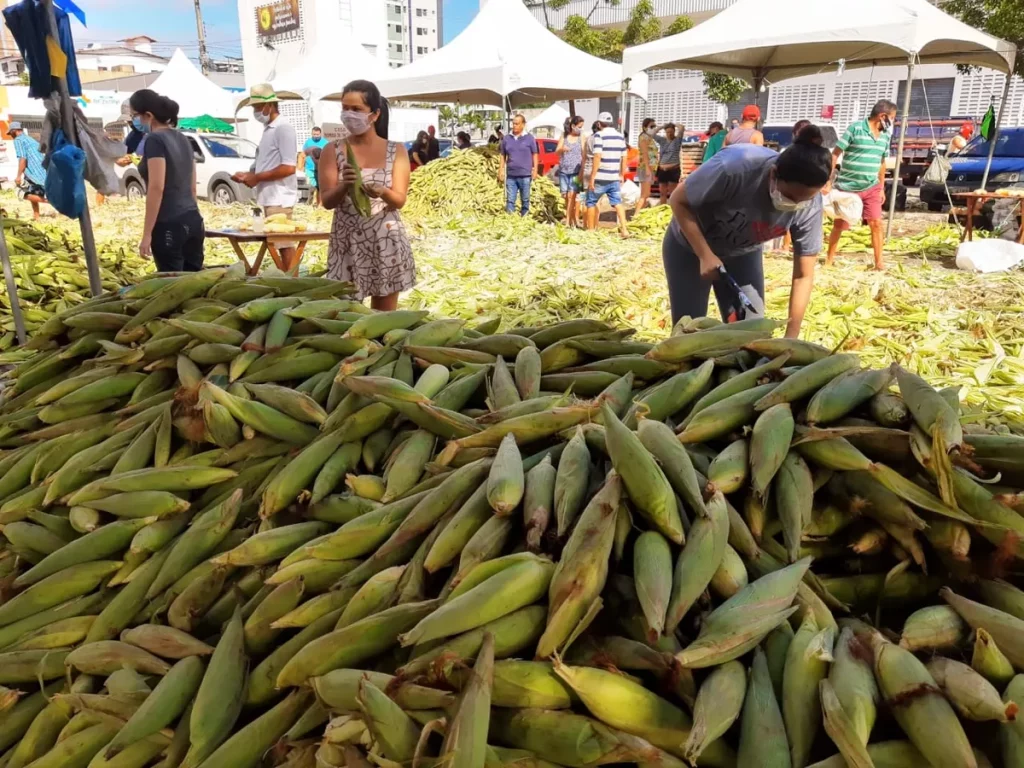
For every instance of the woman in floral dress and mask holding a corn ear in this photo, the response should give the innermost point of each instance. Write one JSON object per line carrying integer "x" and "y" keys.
{"x": 372, "y": 252}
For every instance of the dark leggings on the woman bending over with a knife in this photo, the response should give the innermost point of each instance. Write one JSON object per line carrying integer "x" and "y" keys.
{"x": 689, "y": 293}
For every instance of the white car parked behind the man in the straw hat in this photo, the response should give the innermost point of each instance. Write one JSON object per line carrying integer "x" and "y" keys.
{"x": 219, "y": 157}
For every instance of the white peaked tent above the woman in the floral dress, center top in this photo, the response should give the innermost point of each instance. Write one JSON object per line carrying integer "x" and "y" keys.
{"x": 505, "y": 56}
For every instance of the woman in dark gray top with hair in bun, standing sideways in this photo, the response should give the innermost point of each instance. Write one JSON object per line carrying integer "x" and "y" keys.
{"x": 174, "y": 235}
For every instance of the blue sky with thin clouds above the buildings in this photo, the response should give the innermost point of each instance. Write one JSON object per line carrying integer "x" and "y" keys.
{"x": 176, "y": 25}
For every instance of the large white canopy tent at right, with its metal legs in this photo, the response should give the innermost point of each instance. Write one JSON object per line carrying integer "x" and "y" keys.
{"x": 752, "y": 40}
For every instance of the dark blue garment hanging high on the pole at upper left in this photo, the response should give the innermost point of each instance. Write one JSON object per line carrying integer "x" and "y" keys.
{"x": 28, "y": 25}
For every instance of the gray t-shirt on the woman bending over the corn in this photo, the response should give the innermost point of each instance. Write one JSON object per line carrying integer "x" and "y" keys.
{"x": 731, "y": 196}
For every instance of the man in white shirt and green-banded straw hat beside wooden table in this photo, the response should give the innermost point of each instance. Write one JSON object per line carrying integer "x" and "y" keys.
{"x": 274, "y": 178}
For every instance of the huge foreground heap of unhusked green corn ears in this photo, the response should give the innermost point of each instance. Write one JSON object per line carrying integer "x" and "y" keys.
{"x": 249, "y": 523}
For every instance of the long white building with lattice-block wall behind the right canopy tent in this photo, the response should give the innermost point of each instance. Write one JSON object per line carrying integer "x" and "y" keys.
{"x": 677, "y": 96}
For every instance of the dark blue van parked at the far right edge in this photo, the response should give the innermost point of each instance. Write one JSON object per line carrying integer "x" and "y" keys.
{"x": 968, "y": 166}
